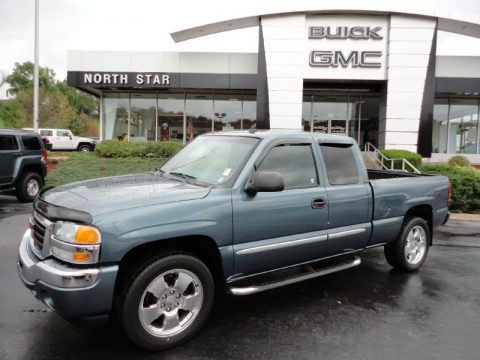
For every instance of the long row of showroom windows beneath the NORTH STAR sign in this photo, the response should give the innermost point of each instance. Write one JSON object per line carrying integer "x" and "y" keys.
{"x": 177, "y": 116}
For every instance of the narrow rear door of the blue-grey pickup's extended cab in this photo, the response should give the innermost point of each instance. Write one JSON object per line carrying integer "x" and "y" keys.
{"x": 348, "y": 196}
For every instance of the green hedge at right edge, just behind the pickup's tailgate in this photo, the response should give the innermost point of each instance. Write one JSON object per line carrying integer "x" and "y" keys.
{"x": 465, "y": 185}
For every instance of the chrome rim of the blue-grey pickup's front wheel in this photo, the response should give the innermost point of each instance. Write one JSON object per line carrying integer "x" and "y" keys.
{"x": 170, "y": 303}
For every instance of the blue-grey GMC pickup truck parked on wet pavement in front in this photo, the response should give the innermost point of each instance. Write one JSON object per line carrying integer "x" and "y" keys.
{"x": 235, "y": 212}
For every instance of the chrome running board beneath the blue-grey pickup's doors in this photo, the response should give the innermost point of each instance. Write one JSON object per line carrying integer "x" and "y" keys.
{"x": 309, "y": 273}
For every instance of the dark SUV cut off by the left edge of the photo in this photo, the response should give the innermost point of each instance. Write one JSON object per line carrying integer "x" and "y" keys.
{"x": 23, "y": 163}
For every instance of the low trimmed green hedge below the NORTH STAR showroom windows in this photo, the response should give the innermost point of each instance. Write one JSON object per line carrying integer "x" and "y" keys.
{"x": 120, "y": 149}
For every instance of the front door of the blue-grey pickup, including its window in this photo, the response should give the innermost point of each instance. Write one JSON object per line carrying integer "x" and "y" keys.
{"x": 276, "y": 229}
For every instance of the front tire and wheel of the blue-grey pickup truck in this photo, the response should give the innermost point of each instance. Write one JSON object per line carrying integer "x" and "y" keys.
{"x": 166, "y": 302}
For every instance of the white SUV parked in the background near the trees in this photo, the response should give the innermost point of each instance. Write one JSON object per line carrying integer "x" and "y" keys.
{"x": 63, "y": 139}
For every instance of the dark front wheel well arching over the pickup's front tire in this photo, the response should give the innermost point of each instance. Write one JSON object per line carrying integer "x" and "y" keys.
{"x": 201, "y": 247}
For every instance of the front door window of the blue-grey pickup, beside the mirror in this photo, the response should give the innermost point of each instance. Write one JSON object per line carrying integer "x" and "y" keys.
{"x": 294, "y": 162}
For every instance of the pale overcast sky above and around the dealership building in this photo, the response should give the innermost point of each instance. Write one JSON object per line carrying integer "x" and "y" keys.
{"x": 140, "y": 25}
